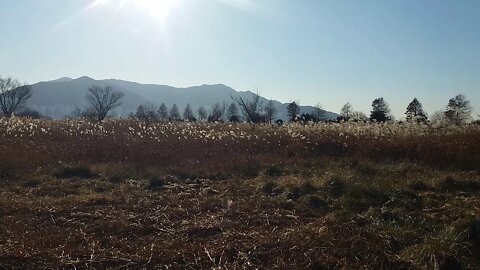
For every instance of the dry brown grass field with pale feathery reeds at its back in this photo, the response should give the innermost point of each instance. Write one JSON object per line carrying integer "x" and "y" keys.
{"x": 127, "y": 195}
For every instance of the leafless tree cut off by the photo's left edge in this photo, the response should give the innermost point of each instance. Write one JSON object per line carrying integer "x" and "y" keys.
{"x": 13, "y": 95}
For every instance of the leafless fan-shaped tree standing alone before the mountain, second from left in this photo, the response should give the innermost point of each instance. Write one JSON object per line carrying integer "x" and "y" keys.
{"x": 103, "y": 99}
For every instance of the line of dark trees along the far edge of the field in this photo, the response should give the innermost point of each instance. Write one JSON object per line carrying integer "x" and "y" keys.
{"x": 102, "y": 100}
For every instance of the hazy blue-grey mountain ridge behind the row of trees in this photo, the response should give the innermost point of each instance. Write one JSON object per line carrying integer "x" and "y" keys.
{"x": 58, "y": 98}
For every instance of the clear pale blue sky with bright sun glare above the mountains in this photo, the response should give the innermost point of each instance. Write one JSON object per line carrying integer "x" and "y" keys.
{"x": 326, "y": 52}
